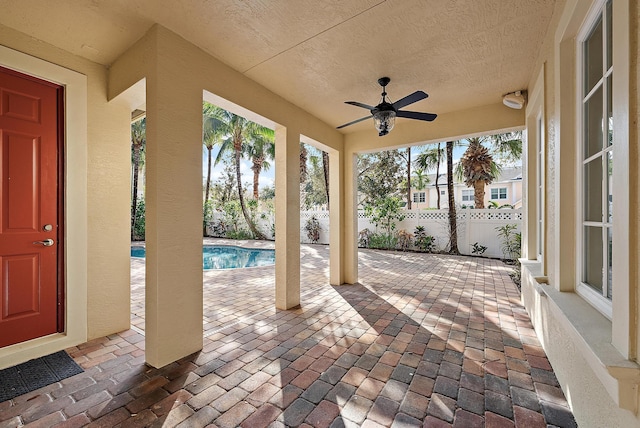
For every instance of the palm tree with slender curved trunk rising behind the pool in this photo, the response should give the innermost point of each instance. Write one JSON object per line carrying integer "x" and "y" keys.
{"x": 239, "y": 133}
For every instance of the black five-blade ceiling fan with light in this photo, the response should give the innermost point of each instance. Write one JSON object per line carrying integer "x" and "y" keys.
{"x": 385, "y": 113}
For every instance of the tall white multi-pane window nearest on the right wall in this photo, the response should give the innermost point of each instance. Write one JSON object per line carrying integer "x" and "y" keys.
{"x": 596, "y": 162}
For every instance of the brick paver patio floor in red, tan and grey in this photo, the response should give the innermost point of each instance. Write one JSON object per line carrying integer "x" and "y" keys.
{"x": 422, "y": 341}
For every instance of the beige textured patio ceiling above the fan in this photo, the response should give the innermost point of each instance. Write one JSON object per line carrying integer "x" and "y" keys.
{"x": 319, "y": 53}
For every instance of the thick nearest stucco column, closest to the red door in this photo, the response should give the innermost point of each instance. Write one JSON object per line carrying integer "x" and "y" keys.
{"x": 173, "y": 302}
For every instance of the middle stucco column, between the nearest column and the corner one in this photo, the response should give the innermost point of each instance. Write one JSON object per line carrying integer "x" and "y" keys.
{"x": 287, "y": 218}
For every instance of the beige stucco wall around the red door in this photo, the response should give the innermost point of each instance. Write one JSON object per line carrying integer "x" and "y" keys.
{"x": 103, "y": 230}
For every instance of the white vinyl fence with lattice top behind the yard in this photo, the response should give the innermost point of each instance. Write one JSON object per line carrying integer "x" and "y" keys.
{"x": 474, "y": 226}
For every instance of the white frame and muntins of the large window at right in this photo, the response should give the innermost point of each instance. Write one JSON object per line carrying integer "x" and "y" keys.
{"x": 592, "y": 296}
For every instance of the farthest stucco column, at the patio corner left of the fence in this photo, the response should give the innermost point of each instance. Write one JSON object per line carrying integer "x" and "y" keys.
{"x": 350, "y": 233}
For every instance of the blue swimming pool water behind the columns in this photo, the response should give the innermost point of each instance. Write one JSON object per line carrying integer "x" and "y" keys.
{"x": 226, "y": 257}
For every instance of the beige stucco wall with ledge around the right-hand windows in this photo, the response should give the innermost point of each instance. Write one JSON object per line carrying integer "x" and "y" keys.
{"x": 583, "y": 346}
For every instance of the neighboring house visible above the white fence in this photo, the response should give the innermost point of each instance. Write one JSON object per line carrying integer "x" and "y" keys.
{"x": 505, "y": 189}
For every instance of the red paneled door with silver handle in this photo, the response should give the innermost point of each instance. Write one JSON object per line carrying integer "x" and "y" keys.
{"x": 29, "y": 131}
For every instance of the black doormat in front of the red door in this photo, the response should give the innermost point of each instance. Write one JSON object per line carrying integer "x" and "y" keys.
{"x": 35, "y": 374}
